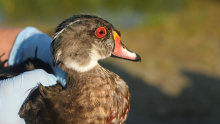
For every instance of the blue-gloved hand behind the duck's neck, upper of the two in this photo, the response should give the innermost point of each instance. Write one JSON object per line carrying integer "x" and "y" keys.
{"x": 32, "y": 43}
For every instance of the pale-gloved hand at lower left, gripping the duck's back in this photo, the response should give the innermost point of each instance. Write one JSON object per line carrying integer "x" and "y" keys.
{"x": 14, "y": 91}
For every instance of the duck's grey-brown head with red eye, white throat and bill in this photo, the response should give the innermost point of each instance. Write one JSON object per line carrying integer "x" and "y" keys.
{"x": 80, "y": 41}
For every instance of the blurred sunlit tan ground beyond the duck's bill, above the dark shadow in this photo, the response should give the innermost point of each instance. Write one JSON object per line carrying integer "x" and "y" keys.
{"x": 188, "y": 40}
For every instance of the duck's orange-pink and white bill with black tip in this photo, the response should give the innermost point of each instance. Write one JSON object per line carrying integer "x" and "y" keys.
{"x": 120, "y": 50}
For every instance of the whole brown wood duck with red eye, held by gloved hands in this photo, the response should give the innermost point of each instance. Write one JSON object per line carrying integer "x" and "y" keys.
{"x": 92, "y": 94}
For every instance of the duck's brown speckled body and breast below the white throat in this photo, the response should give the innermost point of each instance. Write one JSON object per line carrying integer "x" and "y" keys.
{"x": 101, "y": 97}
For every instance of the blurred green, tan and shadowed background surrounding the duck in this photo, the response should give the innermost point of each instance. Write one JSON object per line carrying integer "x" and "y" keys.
{"x": 178, "y": 80}
